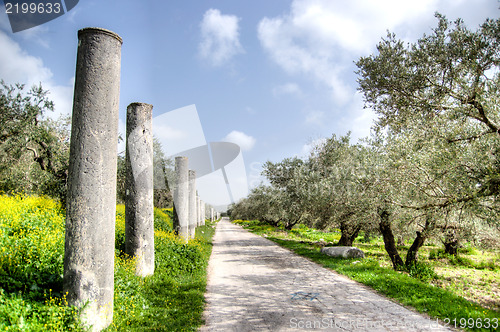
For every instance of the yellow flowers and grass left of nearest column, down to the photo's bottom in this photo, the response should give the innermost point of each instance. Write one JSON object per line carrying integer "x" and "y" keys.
{"x": 31, "y": 266}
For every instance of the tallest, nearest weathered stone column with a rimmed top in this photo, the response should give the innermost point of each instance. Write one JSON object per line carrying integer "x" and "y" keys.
{"x": 91, "y": 195}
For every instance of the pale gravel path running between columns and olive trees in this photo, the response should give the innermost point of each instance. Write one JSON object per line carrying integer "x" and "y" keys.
{"x": 255, "y": 285}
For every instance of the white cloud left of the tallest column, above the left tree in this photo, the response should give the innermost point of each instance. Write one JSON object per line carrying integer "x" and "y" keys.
{"x": 17, "y": 66}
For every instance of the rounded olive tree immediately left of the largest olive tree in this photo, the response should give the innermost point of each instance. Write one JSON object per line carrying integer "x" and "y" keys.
{"x": 340, "y": 183}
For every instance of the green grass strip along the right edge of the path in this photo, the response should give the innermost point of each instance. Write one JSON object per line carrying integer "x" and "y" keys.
{"x": 421, "y": 294}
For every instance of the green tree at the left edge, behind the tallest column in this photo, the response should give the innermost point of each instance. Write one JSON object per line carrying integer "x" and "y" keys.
{"x": 34, "y": 150}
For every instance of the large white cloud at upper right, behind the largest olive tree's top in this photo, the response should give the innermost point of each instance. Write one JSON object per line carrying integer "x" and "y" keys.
{"x": 319, "y": 40}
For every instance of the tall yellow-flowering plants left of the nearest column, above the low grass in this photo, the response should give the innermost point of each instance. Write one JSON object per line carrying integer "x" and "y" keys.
{"x": 32, "y": 238}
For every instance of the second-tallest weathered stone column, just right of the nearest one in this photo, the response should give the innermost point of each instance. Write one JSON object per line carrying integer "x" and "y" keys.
{"x": 139, "y": 214}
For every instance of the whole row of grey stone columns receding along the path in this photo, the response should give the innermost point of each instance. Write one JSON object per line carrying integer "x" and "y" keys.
{"x": 92, "y": 173}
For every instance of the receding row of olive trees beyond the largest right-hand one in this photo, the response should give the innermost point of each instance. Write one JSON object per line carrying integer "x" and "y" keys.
{"x": 332, "y": 188}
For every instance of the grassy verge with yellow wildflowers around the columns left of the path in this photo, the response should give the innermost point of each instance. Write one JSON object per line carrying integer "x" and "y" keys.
{"x": 31, "y": 268}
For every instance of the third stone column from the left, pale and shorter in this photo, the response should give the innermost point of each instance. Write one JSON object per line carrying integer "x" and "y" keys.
{"x": 181, "y": 198}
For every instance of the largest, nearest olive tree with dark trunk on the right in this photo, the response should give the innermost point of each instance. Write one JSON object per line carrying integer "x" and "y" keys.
{"x": 438, "y": 114}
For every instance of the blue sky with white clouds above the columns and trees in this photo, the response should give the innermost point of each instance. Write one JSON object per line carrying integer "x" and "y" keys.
{"x": 271, "y": 76}
